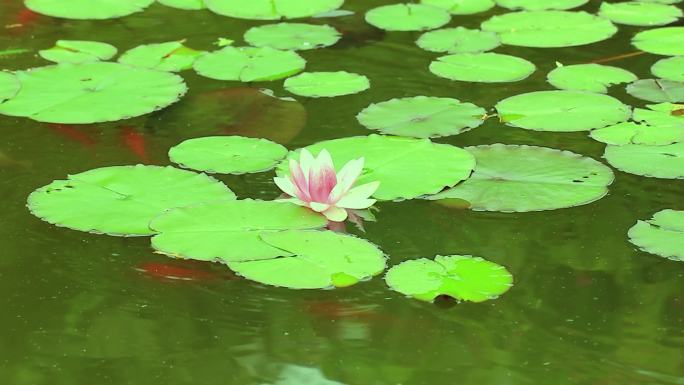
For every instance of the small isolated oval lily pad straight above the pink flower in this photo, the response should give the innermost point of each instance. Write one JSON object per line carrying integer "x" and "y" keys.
{"x": 327, "y": 84}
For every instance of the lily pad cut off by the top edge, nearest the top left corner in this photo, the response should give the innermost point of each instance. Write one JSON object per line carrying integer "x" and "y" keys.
{"x": 87, "y": 9}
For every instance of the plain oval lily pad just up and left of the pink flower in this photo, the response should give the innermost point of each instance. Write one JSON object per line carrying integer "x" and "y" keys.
{"x": 228, "y": 154}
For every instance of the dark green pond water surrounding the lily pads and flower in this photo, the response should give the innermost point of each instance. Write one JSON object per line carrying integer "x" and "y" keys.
{"x": 587, "y": 307}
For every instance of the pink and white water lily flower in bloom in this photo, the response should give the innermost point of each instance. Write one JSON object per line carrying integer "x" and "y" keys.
{"x": 313, "y": 183}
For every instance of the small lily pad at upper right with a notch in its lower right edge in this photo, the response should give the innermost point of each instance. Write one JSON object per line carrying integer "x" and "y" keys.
{"x": 589, "y": 77}
